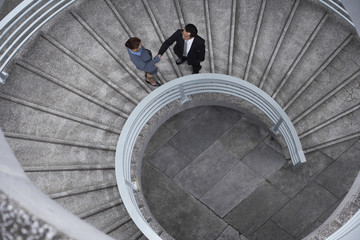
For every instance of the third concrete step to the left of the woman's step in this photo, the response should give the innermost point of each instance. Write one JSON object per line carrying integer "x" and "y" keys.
{"x": 68, "y": 100}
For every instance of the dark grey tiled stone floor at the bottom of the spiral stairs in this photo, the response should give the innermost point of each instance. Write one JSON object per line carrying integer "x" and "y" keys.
{"x": 209, "y": 173}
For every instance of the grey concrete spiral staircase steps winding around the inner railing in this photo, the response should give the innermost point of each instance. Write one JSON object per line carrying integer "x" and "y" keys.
{"x": 71, "y": 87}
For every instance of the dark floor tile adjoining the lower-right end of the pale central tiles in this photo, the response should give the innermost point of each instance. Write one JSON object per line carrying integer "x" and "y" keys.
{"x": 265, "y": 201}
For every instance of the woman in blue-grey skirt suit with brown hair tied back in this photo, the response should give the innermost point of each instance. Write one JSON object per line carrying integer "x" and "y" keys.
{"x": 142, "y": 59}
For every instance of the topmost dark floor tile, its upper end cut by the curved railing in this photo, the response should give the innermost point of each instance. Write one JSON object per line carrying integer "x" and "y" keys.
{"x": 203, "y": 130}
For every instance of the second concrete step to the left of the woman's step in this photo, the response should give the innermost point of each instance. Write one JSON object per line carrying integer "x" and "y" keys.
{"x": 47, "y": 58}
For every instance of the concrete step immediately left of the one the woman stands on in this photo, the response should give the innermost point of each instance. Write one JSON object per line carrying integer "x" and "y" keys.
{"x": 68, "y": 33}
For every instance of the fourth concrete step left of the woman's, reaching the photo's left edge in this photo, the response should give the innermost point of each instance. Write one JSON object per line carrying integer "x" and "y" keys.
{"x": 30, "y": 121}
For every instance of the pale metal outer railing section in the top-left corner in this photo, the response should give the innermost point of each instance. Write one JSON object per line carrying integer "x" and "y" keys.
{"x": 21, "y": 23}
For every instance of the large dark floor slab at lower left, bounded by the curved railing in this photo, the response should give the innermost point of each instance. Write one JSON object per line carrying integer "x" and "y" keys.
{"x": 177, "y": 211}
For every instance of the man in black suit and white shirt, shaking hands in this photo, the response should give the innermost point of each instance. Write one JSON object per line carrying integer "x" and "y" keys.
{"x": 189, "y": 47}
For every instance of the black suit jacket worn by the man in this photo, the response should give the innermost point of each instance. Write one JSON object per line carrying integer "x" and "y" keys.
{"x": 197, "y": 50}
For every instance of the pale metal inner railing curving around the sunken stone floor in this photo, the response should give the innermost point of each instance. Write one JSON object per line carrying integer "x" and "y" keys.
{"x": 180, "y": 89}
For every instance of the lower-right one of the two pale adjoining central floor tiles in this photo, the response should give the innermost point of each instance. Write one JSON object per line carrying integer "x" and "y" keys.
{"x": 235, "y": 186}
